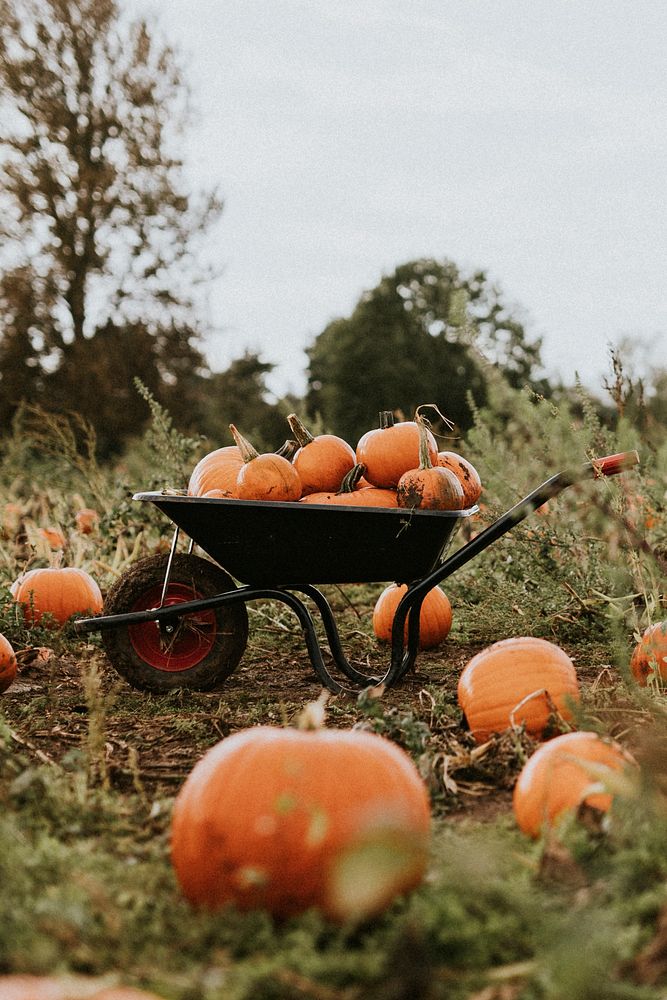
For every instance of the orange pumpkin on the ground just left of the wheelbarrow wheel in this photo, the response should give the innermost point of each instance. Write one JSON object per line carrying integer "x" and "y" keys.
{"x": 59, "y": 592}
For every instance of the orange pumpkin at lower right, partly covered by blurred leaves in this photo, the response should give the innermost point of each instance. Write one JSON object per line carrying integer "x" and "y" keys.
{"x": 555, "y": 778}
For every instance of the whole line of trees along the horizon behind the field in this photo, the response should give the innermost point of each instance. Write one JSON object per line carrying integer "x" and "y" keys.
{"x": 102, "y": 261}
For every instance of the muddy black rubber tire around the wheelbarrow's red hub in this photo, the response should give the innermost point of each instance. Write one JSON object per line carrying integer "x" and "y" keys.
{"x": 206, "y": 580}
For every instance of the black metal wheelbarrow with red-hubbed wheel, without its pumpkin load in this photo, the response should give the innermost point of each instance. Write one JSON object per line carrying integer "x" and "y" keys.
{"x": 180, "y": 620}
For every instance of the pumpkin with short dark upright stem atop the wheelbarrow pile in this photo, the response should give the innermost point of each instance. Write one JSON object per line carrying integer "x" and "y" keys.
{"x": 391, "y": 449}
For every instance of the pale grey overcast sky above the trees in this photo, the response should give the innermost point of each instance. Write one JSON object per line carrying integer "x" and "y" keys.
{"x": 525, "y": 137}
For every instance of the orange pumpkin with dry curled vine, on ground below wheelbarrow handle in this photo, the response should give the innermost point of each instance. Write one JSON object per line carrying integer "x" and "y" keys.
{"x": 497, "y": 679}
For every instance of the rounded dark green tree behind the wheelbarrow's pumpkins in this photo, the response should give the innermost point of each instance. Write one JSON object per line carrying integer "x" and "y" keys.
{"x": 423, "y": 335}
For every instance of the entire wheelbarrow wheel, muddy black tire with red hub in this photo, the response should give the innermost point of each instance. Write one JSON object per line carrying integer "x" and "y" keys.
{"x": 197, "y": 651}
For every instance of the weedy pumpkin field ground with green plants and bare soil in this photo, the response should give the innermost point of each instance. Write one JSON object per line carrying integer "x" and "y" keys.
{"x": 90, "y": 767}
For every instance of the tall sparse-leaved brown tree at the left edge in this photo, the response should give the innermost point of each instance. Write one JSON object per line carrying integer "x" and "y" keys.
{"x": 100, "y": 236}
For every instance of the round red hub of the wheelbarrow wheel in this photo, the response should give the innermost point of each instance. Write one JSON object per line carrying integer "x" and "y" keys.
{"x": 179, "y": 644}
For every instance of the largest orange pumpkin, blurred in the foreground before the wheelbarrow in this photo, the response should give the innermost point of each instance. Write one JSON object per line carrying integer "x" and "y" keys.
{"x": 265, "y": 815}
